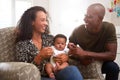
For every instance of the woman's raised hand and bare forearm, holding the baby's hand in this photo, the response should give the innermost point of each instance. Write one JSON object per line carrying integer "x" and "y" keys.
{"x": 44, "y": 54}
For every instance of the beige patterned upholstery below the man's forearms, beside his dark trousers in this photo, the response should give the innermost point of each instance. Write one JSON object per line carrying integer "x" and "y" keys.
{"x": 91, "y": 71}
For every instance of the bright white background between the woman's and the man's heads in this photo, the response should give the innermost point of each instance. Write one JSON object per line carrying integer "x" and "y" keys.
{"x": 66, "y": 15}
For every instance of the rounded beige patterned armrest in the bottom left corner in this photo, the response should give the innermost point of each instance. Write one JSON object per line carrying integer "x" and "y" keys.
{"x": 18, "y": 71}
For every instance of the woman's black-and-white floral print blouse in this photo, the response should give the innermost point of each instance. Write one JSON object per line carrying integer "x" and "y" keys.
{"x": 26, "y": 51}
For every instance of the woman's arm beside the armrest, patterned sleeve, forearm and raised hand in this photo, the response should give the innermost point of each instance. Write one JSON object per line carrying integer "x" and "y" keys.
{"x": 25, "y": 54}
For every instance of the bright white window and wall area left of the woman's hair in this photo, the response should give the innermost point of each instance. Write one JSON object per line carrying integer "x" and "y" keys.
{"x": 11, "y": 11}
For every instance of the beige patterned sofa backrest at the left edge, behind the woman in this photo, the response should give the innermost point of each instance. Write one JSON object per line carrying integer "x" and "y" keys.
{"x": 7, "y": 38}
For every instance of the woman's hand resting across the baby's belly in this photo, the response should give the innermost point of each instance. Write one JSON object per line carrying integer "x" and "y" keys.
{"x": 61, "y": 58}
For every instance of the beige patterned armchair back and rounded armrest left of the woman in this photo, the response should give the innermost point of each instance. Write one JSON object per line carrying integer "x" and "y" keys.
{"x": 9, "y": 68}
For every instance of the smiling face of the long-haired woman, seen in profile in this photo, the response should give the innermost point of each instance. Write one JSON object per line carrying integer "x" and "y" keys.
{"x": 40, "y": 23}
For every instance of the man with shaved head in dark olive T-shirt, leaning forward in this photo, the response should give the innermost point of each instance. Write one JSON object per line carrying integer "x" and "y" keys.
{"x": 97, "y": 41}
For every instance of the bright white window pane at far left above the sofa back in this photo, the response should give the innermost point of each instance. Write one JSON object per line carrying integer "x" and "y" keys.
{"x": 5, "y": 13}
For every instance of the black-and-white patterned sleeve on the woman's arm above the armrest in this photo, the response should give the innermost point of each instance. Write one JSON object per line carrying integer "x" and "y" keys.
{"x": 26, "y": 52}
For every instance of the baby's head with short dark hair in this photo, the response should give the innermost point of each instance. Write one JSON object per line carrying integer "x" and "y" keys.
{"x": 60, "y": 42}
